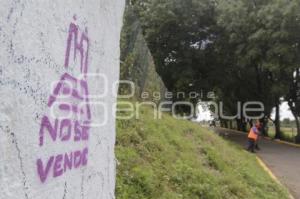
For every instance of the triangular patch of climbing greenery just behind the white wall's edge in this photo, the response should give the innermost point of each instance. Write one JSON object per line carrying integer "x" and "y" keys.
{"x": 137, "y": 63}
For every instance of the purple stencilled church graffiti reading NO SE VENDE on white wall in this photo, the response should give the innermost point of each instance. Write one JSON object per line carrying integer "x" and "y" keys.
{"x": 72, "y": 100}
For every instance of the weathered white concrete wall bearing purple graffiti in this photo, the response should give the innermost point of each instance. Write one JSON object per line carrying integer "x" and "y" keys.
{"x": 44, "y": 67}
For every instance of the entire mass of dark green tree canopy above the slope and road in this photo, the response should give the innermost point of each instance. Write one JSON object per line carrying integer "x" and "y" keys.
{"x": 244, "y": 50}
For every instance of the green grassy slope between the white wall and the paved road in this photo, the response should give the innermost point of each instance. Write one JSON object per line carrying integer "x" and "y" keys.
{"x": 172, "y": 159}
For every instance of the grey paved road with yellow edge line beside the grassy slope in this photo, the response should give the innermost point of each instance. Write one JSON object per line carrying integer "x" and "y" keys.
{"x": 283, "y": 160}
